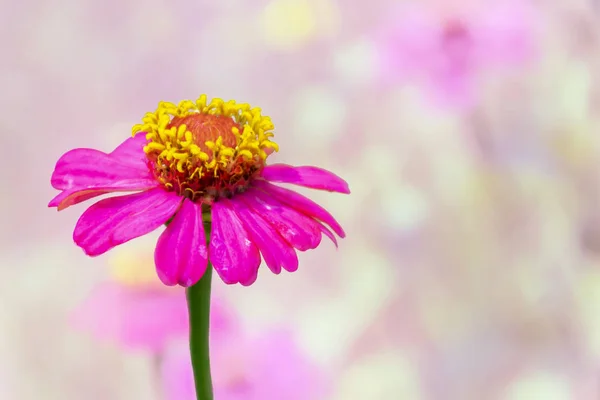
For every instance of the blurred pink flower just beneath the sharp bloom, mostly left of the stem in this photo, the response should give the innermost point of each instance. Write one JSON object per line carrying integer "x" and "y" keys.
{"x": 142, "y": 317}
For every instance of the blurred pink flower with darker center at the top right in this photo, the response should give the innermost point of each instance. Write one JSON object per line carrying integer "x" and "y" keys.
{"x": 446, "y": 52}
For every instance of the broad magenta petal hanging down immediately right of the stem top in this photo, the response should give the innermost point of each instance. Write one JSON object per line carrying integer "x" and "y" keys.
{"x": 234, "y": 256}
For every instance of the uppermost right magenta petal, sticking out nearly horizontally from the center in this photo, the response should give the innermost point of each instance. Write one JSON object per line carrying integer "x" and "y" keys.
{"x": 312, "y": 177}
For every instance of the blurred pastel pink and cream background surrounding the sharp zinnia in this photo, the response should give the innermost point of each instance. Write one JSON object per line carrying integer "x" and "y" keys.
{"x": 467, "y": 130}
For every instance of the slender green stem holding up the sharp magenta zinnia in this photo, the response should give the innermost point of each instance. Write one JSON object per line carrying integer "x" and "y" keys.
{"x": 198, "y": 298}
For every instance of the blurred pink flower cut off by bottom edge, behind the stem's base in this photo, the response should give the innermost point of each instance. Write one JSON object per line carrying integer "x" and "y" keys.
{"x": 270, "y": 367}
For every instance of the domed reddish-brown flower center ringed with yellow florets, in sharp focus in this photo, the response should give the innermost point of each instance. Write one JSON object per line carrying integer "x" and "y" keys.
{"x": 206, "y": 151}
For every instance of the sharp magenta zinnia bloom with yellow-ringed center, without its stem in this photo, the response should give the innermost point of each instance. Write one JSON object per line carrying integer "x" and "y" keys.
{"x": 196, "y": 162}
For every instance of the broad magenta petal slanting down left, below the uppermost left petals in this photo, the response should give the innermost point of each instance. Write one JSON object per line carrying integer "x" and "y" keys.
{"x": 116, "y": 220}
